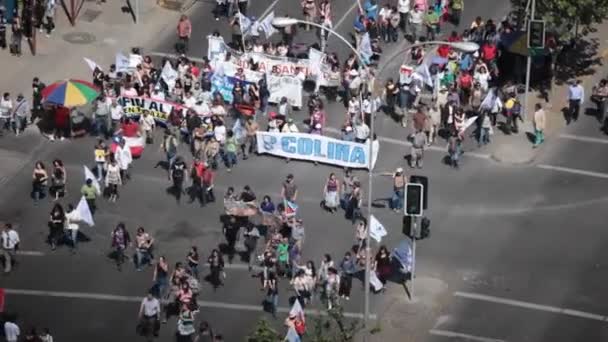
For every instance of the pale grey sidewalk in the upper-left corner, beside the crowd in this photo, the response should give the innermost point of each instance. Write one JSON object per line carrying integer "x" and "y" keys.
{"x": 100, "y": 32}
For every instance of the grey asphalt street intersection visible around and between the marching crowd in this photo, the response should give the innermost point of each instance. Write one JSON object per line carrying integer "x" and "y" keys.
{"x": 516, "y": 251}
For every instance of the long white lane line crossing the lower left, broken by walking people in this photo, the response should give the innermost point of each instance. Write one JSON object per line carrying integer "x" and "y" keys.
{"x": 136, "y": 299}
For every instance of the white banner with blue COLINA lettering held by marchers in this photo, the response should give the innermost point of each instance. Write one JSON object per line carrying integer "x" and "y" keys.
{"x": 314, "y": 147}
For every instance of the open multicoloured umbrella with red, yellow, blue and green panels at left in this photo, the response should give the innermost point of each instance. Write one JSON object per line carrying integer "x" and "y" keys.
{"x": 70, "y": 93}
